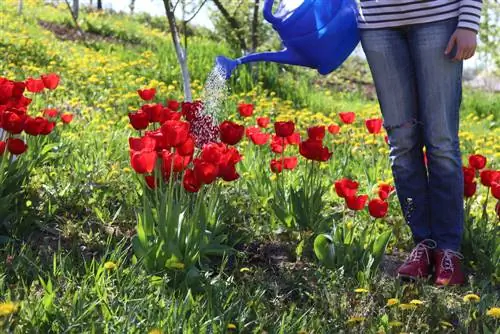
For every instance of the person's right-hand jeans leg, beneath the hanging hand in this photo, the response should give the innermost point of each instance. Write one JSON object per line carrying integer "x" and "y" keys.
{"x": 439, "y": 84}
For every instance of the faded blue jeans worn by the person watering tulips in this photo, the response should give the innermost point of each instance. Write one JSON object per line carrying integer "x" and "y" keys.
{"x": 419, "y": 89}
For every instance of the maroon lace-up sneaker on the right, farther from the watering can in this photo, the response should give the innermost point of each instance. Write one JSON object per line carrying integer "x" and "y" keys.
{"x": 447, "y": 267}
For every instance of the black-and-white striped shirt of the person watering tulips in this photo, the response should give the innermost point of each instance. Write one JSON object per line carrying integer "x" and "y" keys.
{"x": 393, "y": 13}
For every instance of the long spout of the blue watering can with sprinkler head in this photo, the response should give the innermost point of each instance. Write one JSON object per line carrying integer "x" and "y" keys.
{"x": 282, "y": 57}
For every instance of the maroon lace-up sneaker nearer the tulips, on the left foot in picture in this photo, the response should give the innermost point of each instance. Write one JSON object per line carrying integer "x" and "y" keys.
{"x": 418, "y": 264}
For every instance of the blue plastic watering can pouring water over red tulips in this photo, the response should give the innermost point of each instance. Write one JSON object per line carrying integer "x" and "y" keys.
{"x": 319, "y": 34}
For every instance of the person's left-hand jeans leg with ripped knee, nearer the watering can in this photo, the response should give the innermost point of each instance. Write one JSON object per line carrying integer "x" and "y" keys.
{"x": 392, "y": 68}
